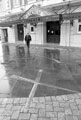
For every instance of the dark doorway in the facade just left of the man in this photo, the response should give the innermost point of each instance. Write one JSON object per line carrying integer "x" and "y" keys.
{"x": 20, "y": 30}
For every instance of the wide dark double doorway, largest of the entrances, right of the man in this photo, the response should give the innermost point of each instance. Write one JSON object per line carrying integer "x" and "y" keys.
{"x": 53, "y": 32}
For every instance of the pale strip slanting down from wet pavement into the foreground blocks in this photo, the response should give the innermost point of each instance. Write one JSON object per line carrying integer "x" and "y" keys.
{"x": 32, "y": 93}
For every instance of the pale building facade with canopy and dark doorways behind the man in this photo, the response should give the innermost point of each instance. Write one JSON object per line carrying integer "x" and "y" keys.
{"x": 46, "y": 21}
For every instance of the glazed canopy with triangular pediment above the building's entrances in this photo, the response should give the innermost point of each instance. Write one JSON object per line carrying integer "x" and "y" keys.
{"x": 35, "y": 14}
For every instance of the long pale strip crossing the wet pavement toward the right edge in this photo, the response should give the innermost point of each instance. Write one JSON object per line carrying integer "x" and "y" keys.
{"x": 43, "y": 84}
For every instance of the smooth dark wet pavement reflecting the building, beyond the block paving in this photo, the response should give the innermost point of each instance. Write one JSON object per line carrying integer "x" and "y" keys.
{"x": 61, "y": 71}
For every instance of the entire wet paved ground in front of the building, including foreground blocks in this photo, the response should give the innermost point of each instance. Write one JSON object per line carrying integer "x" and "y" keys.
{"x": 43, "y": 84}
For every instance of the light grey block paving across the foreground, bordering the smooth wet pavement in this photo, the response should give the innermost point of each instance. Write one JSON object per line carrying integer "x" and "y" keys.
{"x": 50, "y": 108}
